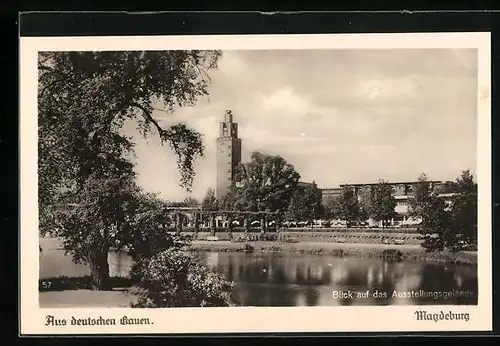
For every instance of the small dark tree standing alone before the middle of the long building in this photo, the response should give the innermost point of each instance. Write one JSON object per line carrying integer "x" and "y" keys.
{"x": 382, "y": 203}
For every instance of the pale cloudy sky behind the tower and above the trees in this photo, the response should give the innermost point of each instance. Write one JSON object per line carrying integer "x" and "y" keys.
{"x": 339, "y": 116}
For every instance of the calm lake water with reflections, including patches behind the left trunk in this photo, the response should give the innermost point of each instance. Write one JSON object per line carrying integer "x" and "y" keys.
{"x": 308, "y": 280}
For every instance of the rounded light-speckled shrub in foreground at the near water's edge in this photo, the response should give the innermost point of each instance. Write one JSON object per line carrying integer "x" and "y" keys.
{"x": 172, "y": 278}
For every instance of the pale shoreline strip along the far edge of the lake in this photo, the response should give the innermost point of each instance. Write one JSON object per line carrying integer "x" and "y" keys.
{"x": 354, "y": 250}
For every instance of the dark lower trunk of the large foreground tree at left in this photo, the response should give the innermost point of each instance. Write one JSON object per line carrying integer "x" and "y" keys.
{"x": 99, "y": 266}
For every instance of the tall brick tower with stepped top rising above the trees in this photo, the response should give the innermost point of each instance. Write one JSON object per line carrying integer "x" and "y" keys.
{"x": 228, "y": 154}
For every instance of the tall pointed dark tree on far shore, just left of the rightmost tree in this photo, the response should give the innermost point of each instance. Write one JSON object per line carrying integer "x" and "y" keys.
{"x": 426, "y": 205}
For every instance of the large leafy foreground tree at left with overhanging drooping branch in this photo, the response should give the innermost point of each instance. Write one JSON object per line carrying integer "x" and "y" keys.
{"x": 84, "y": 99}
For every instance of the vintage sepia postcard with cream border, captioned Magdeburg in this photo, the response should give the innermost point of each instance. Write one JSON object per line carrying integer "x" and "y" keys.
{"x": 255, "y": 183}
